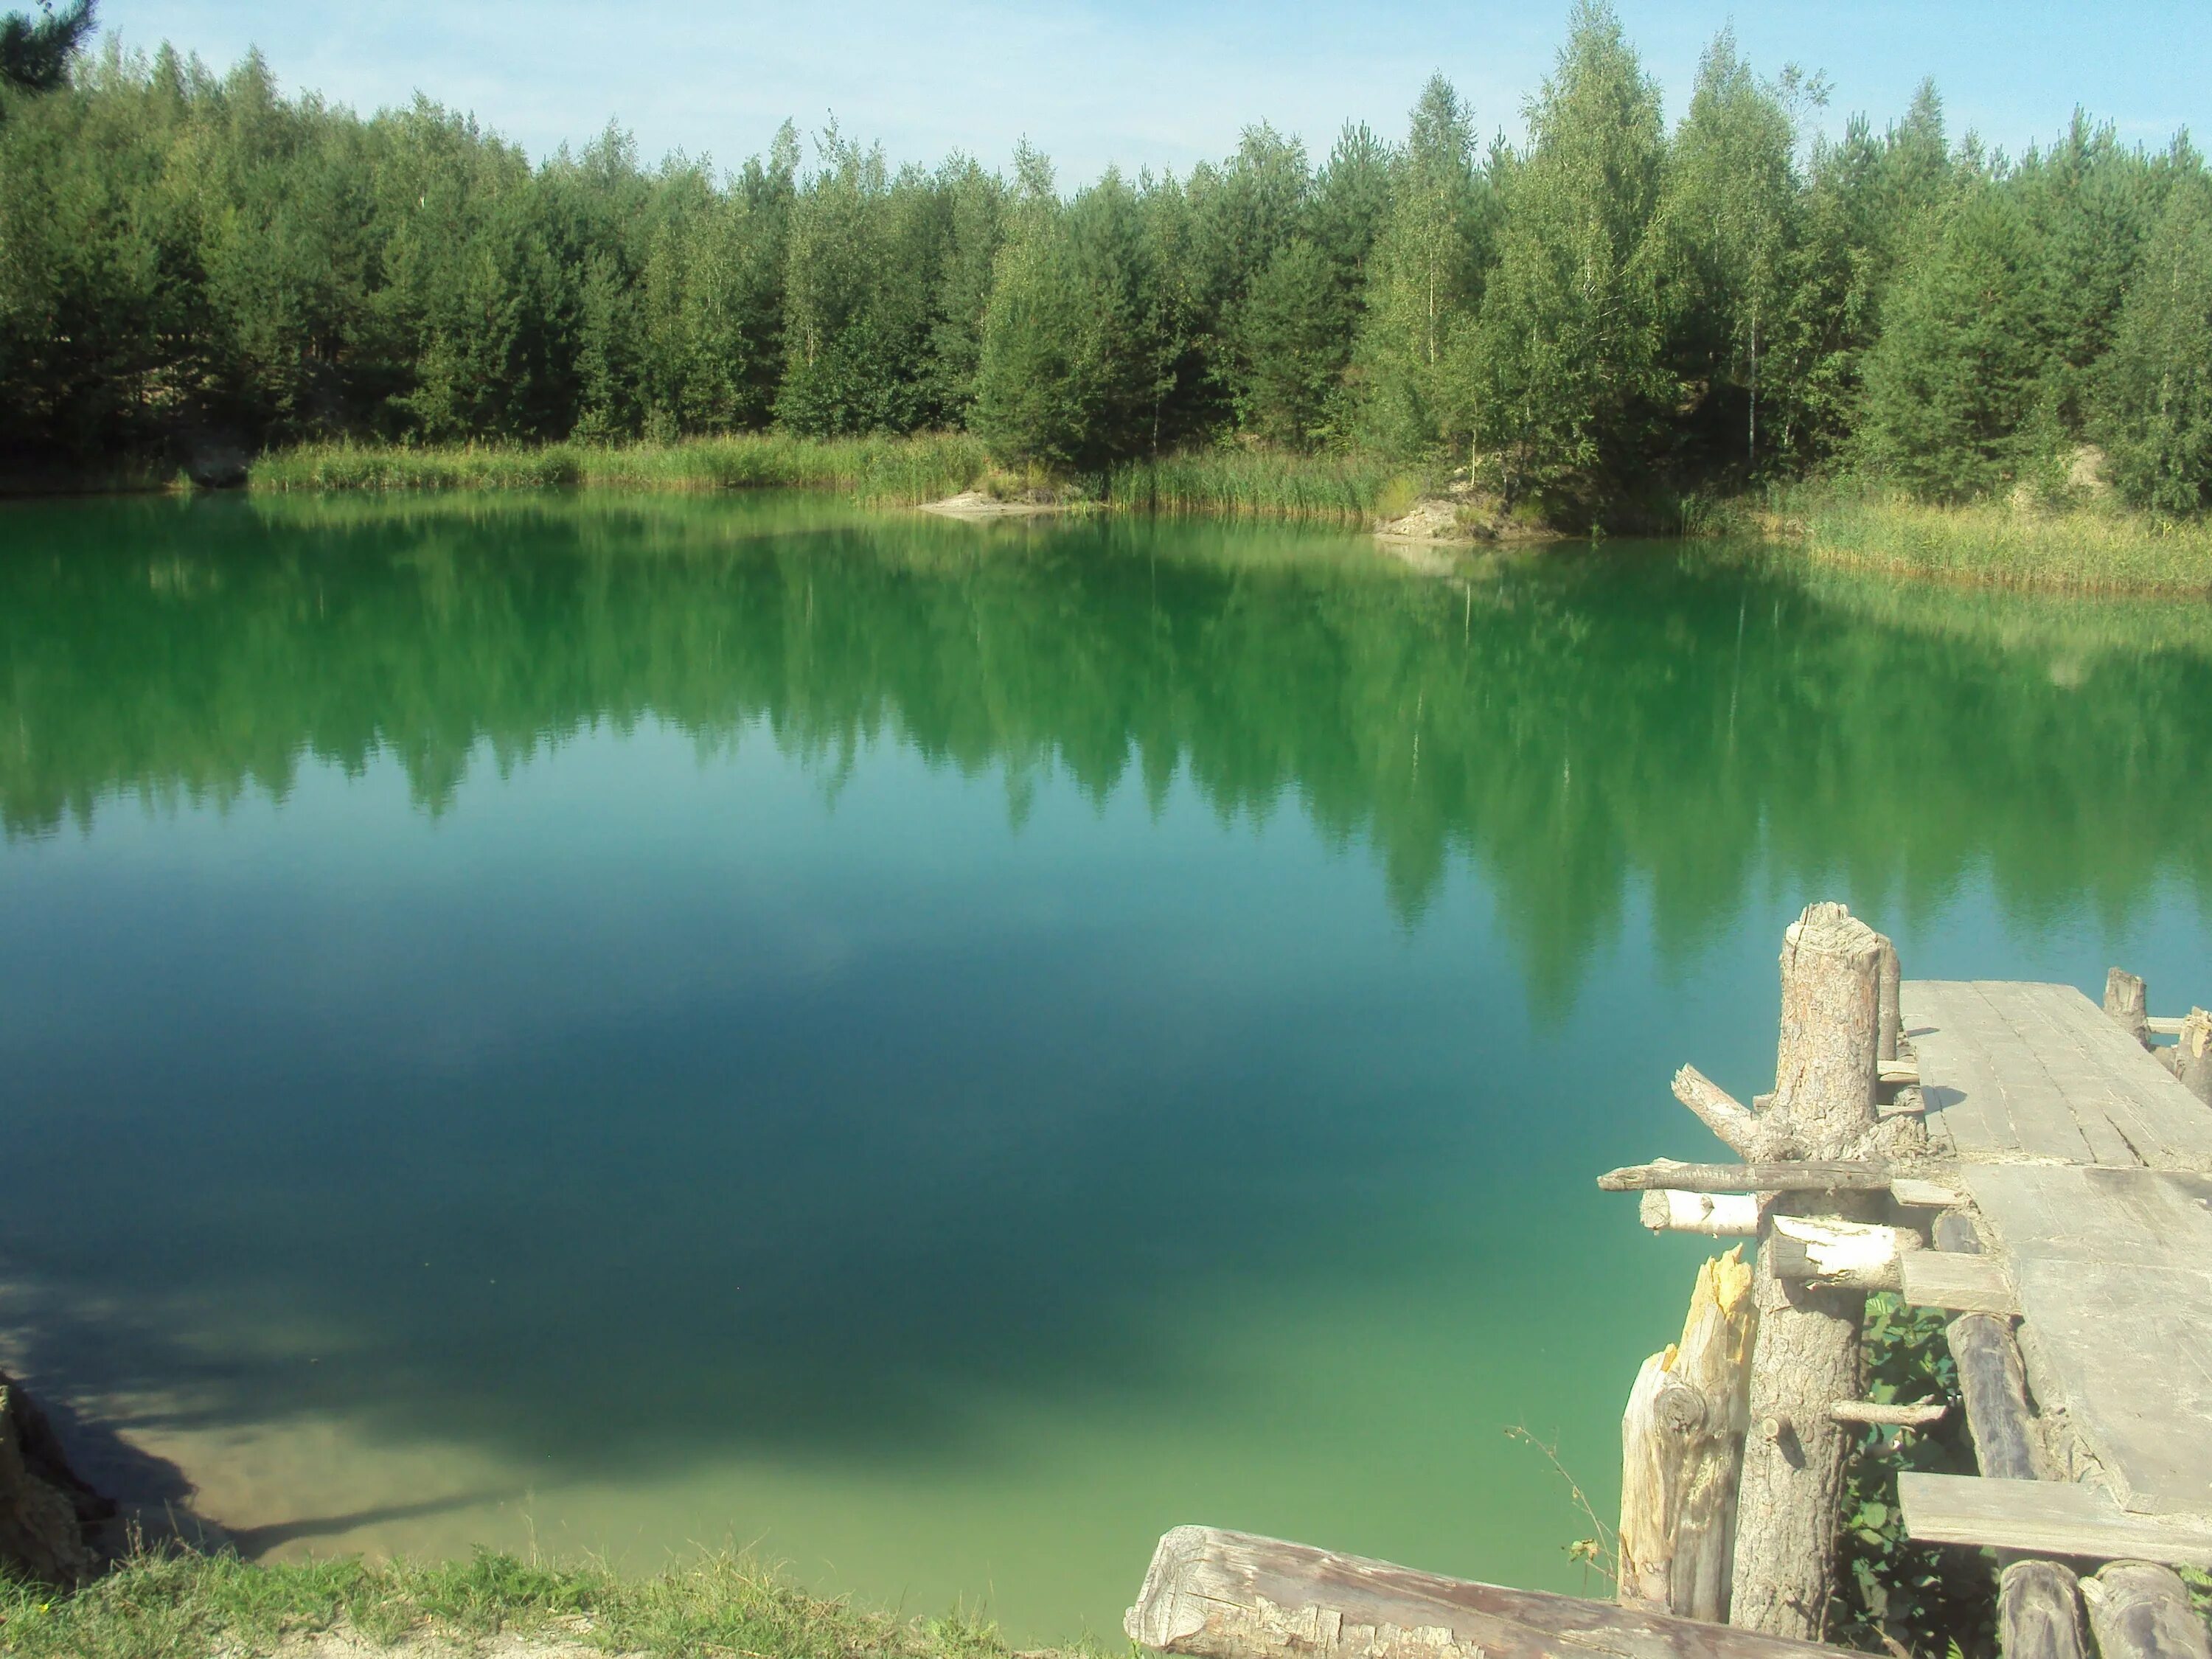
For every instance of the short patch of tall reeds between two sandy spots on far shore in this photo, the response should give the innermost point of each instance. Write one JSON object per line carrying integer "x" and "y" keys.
{"x": 1266, "y": 483}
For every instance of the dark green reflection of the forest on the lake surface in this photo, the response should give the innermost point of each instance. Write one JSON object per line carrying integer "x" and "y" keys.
{"x": 1578, "y": 724}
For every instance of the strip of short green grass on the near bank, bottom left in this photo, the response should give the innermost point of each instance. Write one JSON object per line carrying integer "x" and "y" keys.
{"x": 163, "y": 1607}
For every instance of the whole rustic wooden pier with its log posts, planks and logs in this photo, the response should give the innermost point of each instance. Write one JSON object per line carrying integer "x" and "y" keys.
{"x": 2010, "y": 1154}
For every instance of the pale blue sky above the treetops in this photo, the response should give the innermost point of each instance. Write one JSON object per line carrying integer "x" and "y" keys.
{"x": 1158, "y": 85}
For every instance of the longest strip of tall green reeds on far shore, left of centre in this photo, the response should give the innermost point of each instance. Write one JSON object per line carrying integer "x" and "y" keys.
{"x": 879, "y": 470}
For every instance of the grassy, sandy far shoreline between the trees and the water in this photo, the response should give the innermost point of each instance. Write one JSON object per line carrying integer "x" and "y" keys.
{"x": 2089, "y": 547}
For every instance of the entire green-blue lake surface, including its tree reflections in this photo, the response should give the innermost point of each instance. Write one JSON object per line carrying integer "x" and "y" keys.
{"x": 941, "y": 1052}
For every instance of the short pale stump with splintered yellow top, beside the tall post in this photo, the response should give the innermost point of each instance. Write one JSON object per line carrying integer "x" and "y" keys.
{"x": 1682, "y": 1448}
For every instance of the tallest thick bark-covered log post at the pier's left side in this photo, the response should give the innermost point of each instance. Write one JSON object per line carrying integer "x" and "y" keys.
{"x": 1808, "y": 1350}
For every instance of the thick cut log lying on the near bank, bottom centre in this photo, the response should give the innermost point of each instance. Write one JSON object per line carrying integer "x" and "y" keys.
{"x": 1231, "y": 1596}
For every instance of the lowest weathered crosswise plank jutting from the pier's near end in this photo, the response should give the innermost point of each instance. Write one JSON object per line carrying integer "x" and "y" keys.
{"x": 2045, "y": 1519}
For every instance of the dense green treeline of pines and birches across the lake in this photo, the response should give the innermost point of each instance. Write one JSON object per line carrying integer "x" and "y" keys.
{"x": 1600, "y": 315}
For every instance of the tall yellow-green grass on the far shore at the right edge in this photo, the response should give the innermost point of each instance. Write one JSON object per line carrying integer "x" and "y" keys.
{"x": 2089, "y": 547}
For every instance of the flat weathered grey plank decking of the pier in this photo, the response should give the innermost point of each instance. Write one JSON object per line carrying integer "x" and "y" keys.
{"x": 2091, "y": 1176}
